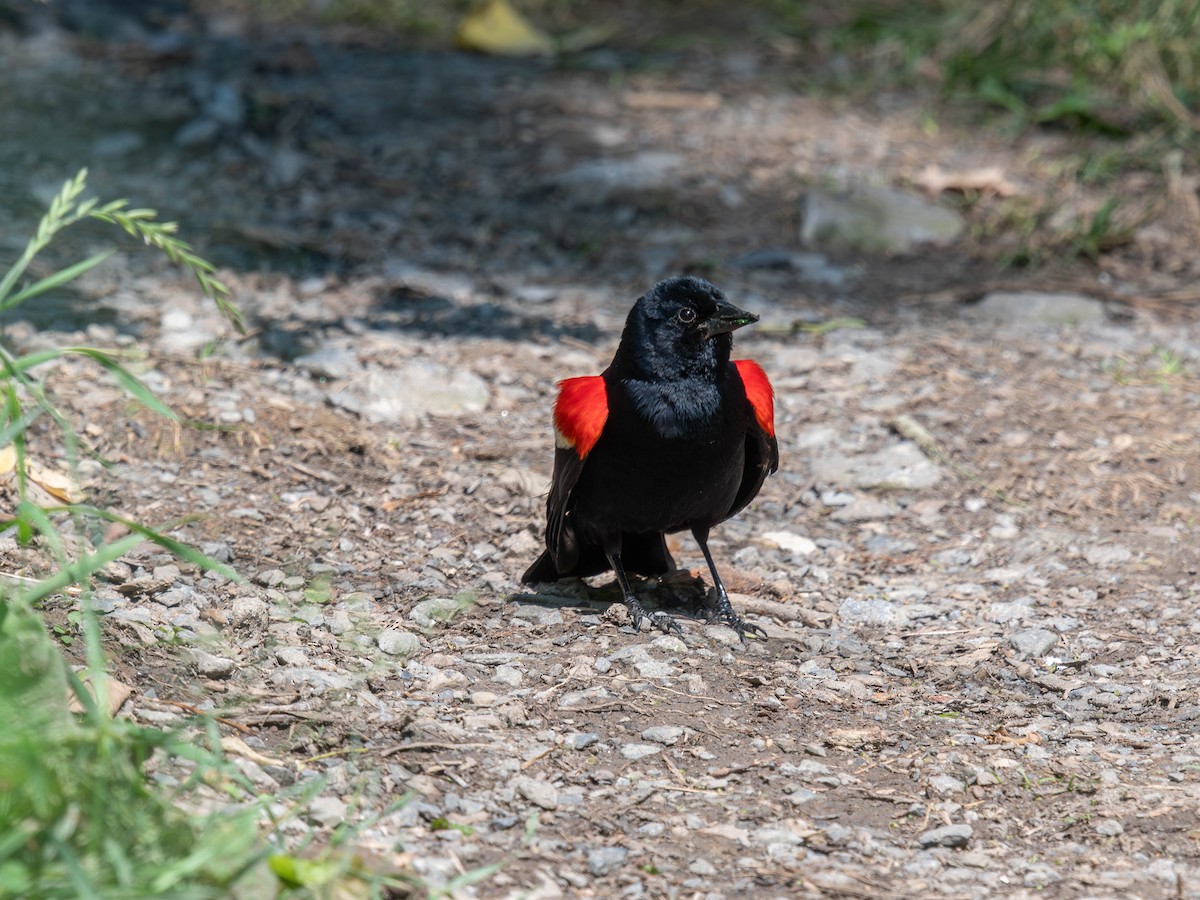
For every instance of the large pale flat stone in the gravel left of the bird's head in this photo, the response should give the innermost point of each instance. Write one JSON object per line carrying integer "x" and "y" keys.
{"x": 419, "y": 388}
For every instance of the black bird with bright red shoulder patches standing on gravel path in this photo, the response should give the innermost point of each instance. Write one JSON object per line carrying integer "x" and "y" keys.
{"x": 674, "y": 436}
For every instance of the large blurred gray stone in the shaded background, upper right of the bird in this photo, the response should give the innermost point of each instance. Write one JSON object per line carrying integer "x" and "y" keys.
{"x": 877, "y": 219}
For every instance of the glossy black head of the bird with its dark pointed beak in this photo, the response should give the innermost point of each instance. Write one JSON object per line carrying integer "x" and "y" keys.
{"x": 682, "y": 327}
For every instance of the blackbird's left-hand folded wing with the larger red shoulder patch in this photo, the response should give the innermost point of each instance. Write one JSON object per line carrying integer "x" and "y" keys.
{"x": 580, "y": 416}
